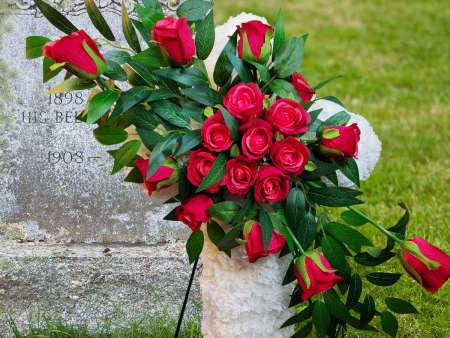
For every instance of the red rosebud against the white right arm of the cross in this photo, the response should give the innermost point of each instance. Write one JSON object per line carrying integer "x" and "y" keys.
{"x": 340, "y": 141}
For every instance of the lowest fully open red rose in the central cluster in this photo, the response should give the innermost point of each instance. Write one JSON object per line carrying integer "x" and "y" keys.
{"x": 272, "y": 185}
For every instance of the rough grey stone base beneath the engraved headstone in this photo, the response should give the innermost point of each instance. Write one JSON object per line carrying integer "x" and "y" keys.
{"x": 82, "y": 282}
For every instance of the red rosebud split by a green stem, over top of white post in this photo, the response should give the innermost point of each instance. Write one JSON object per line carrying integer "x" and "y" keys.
{"x": 254, "y": 244}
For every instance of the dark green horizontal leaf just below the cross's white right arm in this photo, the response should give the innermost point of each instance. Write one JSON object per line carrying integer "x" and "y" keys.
{"x": 334, "y": 196}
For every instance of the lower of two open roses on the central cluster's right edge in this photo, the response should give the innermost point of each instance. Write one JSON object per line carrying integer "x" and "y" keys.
{"x": 290, "y": 156}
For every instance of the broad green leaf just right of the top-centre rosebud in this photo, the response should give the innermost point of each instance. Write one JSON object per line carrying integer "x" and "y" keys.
{"x": 289, "y": 57}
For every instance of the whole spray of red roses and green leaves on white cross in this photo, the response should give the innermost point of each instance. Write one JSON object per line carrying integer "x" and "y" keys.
{"x": 227, "y": 123}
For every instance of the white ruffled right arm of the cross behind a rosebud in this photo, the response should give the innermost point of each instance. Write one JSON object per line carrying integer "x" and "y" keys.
{"x": 369, "y": 146}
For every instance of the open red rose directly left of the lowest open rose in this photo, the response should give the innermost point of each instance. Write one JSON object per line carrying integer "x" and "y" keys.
{"x": 241, "y": 175}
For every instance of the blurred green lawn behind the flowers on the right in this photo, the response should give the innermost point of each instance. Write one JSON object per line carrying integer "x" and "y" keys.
{"x": 395, "y": 56}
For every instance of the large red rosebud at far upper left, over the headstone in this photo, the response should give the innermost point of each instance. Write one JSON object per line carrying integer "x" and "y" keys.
{"x": 78, "y": 54}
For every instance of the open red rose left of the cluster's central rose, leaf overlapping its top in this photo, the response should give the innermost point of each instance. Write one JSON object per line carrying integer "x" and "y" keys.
{"x": 215, "y": 133}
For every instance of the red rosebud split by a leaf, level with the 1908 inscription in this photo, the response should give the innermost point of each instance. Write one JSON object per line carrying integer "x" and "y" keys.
{"x": 166, "y": 175}
